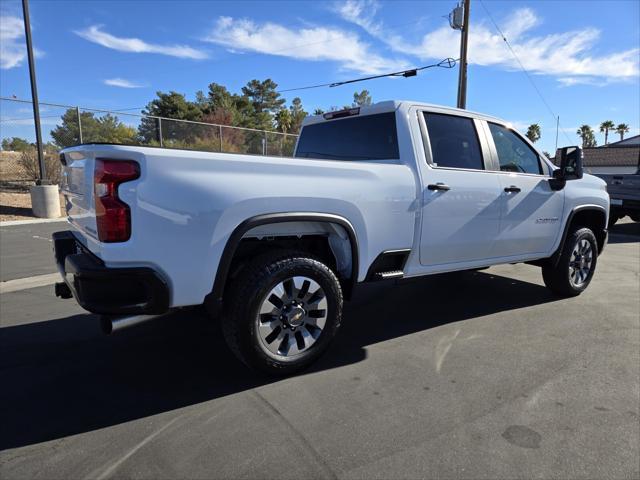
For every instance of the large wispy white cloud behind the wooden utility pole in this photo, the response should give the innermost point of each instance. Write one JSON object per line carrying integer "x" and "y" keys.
{"x": 567, "y": 55}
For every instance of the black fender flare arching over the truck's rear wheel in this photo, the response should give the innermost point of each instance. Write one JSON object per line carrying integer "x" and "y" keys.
{"x": 270, "y": 218}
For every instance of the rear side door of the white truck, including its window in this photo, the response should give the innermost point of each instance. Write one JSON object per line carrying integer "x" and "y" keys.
{"x": 461, "y": 198}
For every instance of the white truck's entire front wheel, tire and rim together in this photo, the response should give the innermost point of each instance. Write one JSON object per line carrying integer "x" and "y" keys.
{"x": 576, "y": 266}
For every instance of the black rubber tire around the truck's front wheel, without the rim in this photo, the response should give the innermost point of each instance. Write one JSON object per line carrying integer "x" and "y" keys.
{"x": 558, "y": 277}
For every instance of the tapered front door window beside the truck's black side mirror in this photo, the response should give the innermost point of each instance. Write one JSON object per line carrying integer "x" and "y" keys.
{"x": 513, "y": 153}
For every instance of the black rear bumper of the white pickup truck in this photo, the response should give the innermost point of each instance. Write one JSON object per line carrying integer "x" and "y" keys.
{"x": 108, "y": 291}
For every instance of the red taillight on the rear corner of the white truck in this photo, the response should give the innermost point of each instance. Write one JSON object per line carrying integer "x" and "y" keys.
{"x": 113, "y": 217}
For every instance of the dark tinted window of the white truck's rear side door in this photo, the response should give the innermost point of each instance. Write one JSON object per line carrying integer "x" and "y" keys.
{"x": 454, "y": 141}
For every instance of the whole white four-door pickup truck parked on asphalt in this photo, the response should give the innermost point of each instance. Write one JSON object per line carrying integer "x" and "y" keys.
{"x": 273, "y": 245}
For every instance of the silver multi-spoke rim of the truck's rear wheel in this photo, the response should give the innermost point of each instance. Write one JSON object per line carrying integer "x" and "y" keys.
{"x": 291, "y": 317}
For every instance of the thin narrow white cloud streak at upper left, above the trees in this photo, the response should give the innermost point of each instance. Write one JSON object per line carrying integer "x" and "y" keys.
{"x": 95, "y": 34}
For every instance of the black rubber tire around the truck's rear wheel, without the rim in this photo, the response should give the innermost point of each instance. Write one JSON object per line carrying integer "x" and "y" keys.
{"x": 249, "y": 292}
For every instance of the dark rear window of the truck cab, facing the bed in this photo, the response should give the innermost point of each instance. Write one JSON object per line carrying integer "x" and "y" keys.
{"x": 370, "y": 137}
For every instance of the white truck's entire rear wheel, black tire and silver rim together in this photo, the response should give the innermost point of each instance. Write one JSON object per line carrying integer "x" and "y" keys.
{"x": 282, "y": 312}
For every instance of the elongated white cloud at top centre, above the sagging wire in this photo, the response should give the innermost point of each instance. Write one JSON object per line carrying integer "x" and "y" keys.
{"x": 312, "y": 43}
